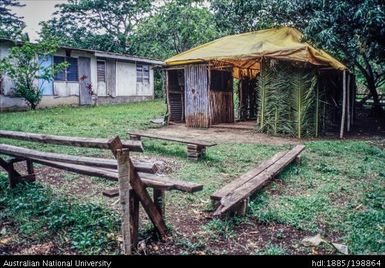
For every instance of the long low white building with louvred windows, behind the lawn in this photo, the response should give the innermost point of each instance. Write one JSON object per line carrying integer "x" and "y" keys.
{"x": 114, "y": 78}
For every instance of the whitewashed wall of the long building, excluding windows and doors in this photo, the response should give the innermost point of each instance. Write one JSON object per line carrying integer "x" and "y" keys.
{"x": 124, "y": 87}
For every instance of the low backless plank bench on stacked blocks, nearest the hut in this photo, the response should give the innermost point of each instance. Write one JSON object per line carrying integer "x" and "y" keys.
{"x": 195, "y": 149}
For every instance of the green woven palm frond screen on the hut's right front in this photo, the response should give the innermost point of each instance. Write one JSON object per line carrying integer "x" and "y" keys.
{"x": 290, "y": 101}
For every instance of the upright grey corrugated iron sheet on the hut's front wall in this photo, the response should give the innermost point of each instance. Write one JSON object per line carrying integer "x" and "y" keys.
{"x": 197, "y": 97}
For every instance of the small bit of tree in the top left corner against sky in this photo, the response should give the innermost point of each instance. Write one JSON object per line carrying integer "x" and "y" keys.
{"x": 10, "y": 24}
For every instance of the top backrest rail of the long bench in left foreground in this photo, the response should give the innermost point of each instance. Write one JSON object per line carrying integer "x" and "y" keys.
{"x": 134, "y": 146}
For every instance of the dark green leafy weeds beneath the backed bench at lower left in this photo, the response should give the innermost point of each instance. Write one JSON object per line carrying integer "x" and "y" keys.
{"x": 40, "y": 215}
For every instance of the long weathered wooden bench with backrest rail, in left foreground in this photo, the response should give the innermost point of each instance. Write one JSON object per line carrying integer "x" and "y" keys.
{"x": 134, "y": 176}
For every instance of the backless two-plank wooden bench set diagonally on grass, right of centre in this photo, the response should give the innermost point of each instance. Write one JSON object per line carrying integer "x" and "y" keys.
{"x": 235, "y": 195}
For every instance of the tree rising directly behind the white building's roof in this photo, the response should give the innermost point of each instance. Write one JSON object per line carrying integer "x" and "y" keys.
{"x": 96, "y": 24}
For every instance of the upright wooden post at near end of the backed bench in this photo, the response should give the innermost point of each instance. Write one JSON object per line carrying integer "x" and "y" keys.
{"x": 122, "y": 156}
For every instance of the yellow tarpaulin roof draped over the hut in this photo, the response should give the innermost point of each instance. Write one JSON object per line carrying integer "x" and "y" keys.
{"x": 244, "y": 51}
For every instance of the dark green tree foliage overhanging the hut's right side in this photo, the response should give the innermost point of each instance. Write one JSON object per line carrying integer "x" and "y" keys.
{"x": 352, "y": 30}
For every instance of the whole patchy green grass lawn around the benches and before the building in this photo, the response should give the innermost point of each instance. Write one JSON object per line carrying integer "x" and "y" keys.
{"x": 337, "y": 191}
